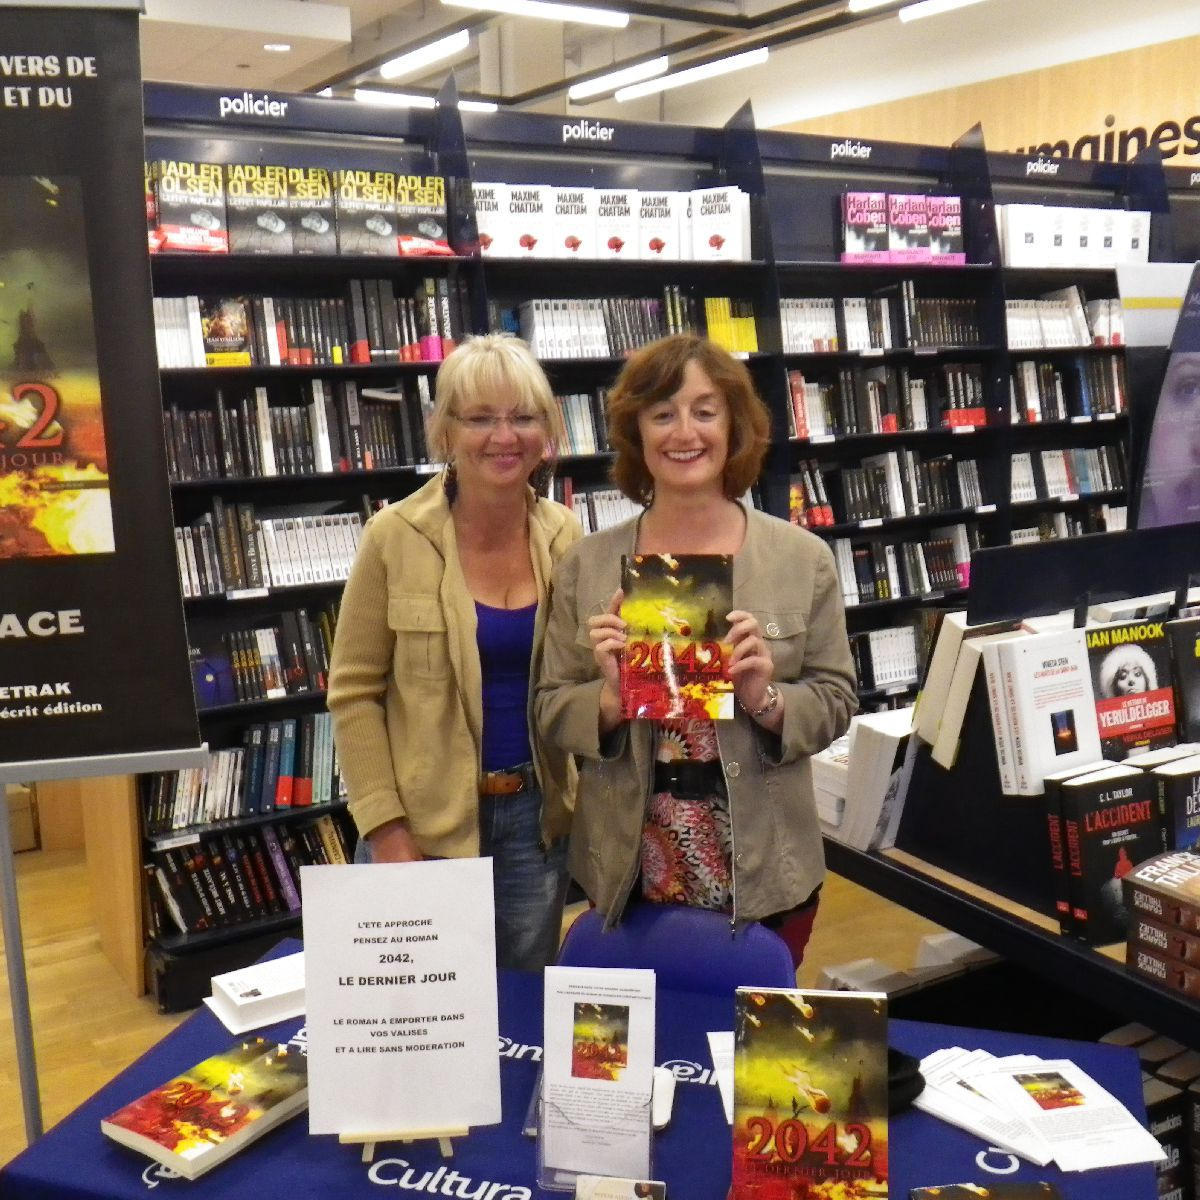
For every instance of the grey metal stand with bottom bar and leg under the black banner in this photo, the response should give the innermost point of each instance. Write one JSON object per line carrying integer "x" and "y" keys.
{"x": 15, "y": 950}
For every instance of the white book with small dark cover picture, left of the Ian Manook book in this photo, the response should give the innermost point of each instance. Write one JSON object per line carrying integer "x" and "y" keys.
{"x": 1052, "y": 707}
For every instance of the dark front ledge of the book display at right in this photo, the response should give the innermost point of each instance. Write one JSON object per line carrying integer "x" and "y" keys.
{"x": 1017, "y": 933}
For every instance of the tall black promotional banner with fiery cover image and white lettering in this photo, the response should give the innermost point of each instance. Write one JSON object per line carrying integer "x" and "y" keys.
{"x": 93, "y": 647}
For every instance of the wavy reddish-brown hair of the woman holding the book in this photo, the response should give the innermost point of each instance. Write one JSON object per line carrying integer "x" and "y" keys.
{"x": 656, "y": 374}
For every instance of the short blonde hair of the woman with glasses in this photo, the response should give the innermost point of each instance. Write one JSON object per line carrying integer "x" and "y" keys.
{"x": 483, "y": 369}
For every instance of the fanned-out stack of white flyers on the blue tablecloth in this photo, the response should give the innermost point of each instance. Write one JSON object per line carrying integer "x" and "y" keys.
{"x": 1040, "y": 1109}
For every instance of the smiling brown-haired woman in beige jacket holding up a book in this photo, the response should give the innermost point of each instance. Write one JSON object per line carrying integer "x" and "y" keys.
{"x": 735, "y": 829}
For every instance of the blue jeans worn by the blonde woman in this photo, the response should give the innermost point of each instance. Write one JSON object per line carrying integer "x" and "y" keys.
{"x": 530, "y": 885}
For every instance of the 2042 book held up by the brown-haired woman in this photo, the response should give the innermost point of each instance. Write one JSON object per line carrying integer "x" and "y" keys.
{"x": 677, "y": 658}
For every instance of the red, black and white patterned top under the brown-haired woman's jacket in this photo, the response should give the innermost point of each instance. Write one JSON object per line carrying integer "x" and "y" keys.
{"x": 687, "y": 843}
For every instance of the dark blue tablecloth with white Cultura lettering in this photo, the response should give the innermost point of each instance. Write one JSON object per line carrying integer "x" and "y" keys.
{"x": 693, "y": 1154}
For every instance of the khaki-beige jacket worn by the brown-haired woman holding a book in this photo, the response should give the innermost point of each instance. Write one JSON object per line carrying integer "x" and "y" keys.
{"x": 787, "y": 578}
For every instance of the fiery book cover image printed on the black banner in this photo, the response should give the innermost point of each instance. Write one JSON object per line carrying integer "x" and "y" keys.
{"x": 55, "y": 489}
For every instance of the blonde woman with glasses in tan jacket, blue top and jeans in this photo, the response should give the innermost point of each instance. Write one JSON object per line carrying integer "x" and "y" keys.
{"x": 440, "y": 640}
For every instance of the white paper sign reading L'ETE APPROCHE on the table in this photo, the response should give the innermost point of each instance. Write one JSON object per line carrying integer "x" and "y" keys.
{"x": 400, "y": 982}
